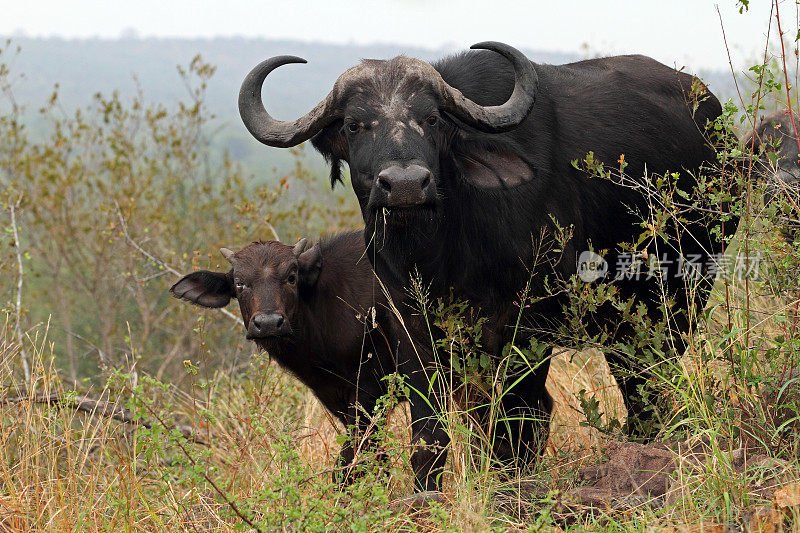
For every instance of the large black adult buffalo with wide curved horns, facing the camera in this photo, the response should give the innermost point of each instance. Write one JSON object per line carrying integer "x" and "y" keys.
{"x": 464, "y": 173}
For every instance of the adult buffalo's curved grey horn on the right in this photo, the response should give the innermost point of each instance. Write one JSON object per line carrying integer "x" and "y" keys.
{"x": 501, "y": 118}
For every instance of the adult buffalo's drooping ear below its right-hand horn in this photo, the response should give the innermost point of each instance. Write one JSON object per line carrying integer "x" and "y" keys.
{"x": 490, "y": 169}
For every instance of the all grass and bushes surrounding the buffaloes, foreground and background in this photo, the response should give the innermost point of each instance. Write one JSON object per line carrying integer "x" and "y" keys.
{"x": 188, "y": 430}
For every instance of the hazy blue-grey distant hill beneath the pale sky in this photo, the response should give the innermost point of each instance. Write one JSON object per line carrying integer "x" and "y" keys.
{"x": 87, "y": 66}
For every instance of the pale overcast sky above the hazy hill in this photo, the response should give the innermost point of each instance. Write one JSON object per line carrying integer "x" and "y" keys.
{"x": 676, "y": 32}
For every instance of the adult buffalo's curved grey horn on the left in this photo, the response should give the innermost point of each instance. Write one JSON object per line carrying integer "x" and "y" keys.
{"x": 276, "y": 132}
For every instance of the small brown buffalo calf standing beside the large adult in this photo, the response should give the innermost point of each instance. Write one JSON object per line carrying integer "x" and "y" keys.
{"x": 317, "y": 313}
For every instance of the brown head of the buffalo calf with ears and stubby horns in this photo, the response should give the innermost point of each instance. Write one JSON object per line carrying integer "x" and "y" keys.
{"x": 266, "y": 278}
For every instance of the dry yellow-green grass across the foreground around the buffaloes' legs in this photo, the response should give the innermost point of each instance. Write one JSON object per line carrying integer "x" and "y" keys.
{"x": 265, "y": 448}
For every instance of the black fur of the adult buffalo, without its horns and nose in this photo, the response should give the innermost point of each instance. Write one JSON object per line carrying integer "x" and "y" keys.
{"x": 480, "y": 240}
